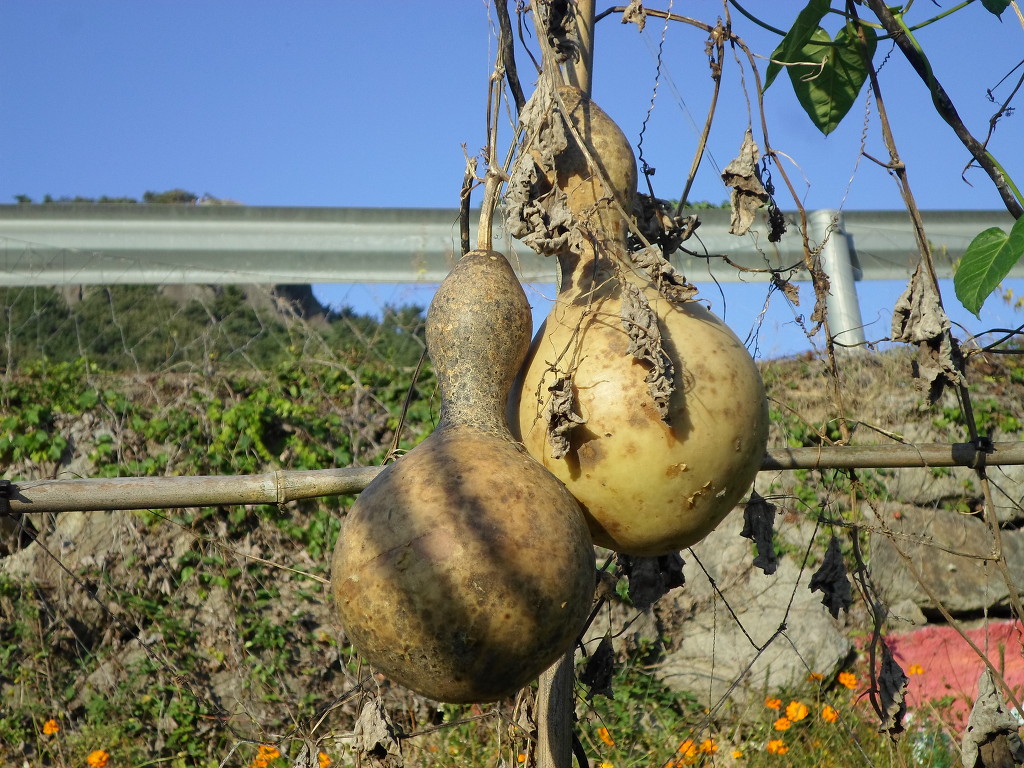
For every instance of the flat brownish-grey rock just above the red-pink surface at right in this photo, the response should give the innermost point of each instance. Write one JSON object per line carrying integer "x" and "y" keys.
{"x": 952, "y": 553}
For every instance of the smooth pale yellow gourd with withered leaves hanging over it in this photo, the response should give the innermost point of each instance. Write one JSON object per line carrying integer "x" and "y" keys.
{"x": 649, "y": 486}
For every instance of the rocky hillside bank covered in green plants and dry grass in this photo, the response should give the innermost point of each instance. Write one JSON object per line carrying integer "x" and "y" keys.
{"x": 179, "y": 635}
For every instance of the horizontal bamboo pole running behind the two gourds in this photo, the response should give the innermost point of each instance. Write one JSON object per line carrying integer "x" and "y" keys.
{"x": 287, "y": 486}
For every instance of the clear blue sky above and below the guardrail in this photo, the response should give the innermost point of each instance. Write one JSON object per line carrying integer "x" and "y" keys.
{"x": 350, "y": 104}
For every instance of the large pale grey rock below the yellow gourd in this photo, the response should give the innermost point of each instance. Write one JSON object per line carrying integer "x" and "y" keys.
{"x": 764, "y": 633}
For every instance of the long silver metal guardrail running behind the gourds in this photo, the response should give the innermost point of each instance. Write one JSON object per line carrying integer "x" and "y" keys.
{"x": 103, "y": 244}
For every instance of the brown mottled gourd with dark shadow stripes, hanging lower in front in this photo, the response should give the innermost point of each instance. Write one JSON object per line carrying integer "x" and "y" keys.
{"x": 465, "y": 569}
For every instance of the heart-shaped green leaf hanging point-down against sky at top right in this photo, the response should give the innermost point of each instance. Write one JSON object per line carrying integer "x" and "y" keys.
{"x": 827, "y": 94}
